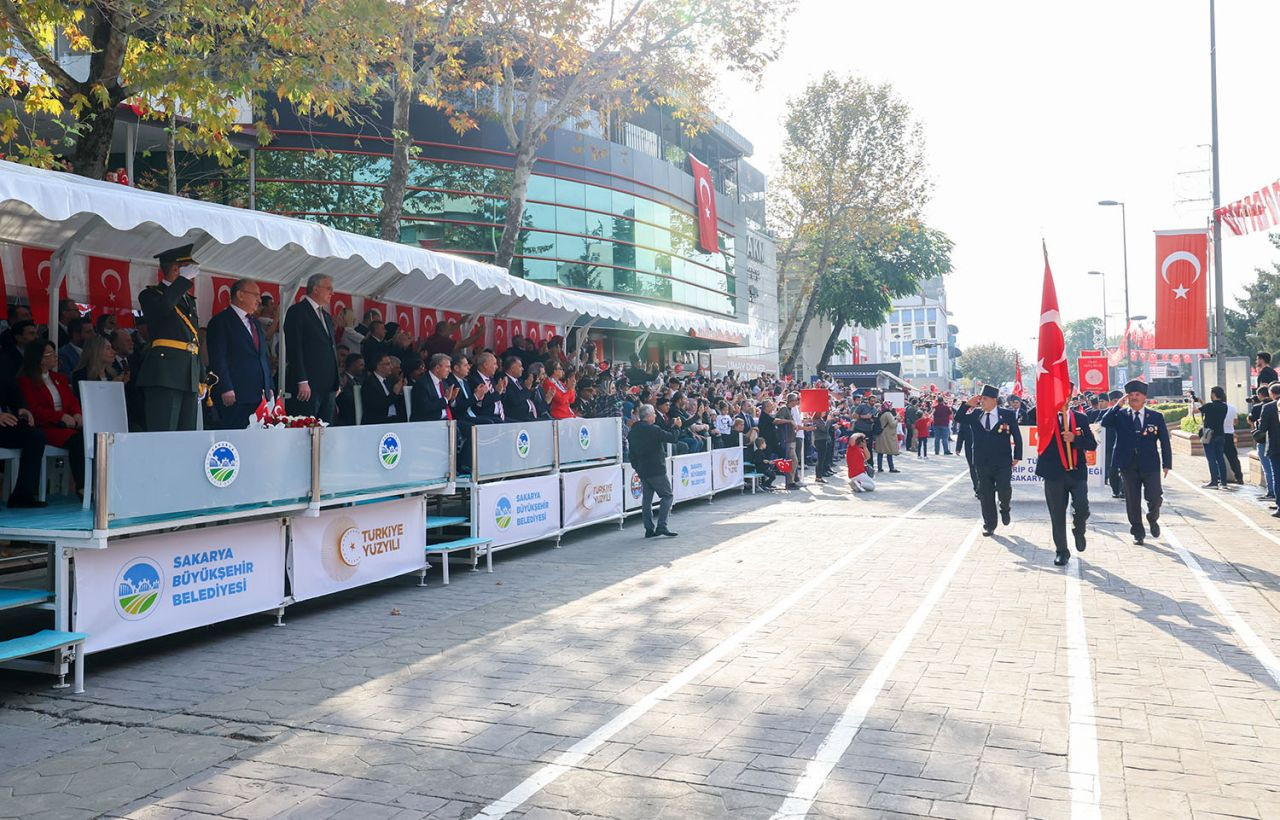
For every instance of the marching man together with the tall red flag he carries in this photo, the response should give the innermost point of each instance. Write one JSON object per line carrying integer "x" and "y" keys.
{"x": 1064, "y": 437}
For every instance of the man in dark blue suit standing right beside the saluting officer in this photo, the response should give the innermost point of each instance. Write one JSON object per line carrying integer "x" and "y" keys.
{"x": 237, "y": 356}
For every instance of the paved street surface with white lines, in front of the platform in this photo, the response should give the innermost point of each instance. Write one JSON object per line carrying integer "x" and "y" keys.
{"x": 804, "y": 656}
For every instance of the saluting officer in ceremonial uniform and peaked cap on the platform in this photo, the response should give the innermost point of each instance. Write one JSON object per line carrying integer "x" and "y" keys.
{"x": 170, "y": 377}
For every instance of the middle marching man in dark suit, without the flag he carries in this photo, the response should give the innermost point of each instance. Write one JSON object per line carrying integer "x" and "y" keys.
{"x": 1067, "y": 482}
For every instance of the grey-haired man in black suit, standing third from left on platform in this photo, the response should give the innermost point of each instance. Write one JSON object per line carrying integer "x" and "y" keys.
{"x": 312, "y": 368}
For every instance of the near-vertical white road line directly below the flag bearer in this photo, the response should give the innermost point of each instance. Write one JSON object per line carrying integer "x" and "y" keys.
{"x": 1082, "y": 740}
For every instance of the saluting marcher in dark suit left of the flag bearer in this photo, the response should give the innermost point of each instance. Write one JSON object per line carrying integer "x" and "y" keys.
{"x": 998, "y": 447}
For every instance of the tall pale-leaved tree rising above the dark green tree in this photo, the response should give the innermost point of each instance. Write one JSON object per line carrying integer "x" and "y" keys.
{"x": 852, "y": 168}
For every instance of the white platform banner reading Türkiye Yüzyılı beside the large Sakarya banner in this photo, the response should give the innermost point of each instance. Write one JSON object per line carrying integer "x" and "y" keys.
{"x": 351, "y": 547}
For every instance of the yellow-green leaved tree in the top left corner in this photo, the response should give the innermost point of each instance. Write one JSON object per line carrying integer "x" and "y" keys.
{"x": 195, "y": 62}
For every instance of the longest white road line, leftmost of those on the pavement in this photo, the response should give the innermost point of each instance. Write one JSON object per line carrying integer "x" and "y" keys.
{"x": 579, "y": 752}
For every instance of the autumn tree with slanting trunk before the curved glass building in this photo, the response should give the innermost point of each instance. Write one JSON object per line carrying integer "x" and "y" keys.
{"x": 554, "y": 62}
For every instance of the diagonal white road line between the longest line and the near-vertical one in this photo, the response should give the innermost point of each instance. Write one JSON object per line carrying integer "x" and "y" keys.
{"x": 842, "y": 735}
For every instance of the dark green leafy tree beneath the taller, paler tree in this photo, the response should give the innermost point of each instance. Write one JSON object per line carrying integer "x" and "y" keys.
{"x": 863, "y": 283}
